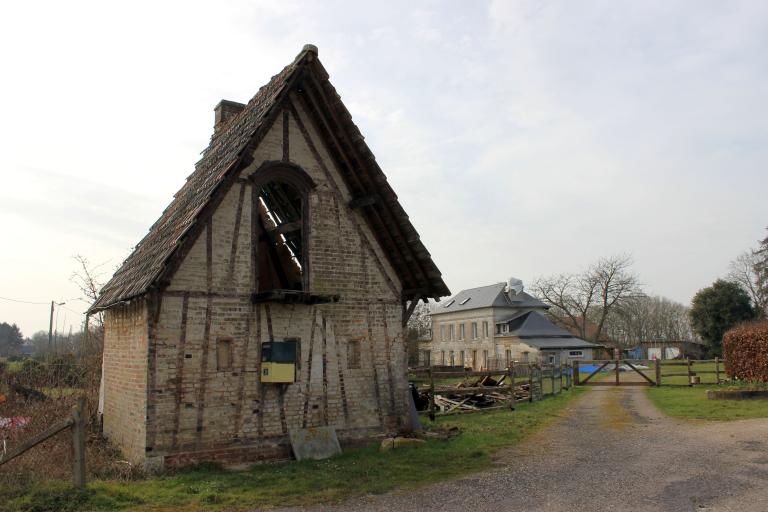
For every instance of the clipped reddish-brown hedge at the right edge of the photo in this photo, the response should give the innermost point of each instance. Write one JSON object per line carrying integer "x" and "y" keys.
{"x": 745, "y": 349}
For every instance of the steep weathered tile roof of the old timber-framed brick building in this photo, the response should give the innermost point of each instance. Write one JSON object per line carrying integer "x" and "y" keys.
{"x": 142, "y": 269}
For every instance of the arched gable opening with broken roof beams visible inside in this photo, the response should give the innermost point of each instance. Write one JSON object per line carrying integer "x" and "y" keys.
{"x": 280, "y": 225}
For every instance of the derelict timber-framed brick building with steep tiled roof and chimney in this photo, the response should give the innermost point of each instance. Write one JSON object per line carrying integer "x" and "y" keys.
{"x": 286, "y": 230}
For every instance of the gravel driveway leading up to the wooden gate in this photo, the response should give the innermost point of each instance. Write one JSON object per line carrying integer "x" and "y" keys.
{"x": 611, "y": 451}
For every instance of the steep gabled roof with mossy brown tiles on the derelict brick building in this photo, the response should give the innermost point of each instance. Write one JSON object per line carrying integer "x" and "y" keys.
{"x": 229, "y": 151}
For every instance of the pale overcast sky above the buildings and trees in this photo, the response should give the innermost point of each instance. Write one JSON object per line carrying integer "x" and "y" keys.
{"x": 524, "y": 138}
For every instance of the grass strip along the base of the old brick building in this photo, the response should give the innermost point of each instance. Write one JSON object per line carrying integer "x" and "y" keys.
{"x": 356, "y": 472}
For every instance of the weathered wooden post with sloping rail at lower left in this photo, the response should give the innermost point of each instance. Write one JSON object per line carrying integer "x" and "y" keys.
{"x": 76, "y": 423}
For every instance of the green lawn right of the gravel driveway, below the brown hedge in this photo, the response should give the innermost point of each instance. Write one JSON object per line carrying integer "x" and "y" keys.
{"x": 692, "y": 403}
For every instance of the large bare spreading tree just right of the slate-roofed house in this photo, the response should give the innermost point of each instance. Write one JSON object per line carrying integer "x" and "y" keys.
{"x": 583, "y": 302}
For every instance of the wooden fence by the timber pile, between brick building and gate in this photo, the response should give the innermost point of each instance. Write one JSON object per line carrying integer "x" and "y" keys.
{"x": 509, "y": 386}
